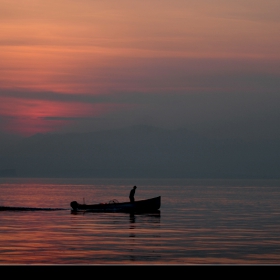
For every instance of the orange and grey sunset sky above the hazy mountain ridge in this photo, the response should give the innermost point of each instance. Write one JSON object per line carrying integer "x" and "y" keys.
{"x": 212, "y": 67}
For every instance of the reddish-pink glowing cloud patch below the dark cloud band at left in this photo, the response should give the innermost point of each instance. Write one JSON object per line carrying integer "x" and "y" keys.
{"x": 29, "y": 116}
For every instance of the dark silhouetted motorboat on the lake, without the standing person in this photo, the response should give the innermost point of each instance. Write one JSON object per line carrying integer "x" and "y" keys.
{"x": 139, "y": 206}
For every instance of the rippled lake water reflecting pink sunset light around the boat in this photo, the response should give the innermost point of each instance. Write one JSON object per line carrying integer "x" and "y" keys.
{"x": 200, "y": 222}
